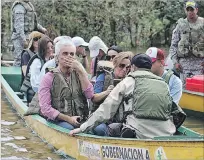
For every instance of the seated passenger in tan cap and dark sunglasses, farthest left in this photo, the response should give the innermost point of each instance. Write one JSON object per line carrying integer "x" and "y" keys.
{"x": 30, "y": 51}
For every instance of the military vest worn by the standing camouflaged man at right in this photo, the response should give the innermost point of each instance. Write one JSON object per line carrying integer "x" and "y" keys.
{"x": 192, "y": 38}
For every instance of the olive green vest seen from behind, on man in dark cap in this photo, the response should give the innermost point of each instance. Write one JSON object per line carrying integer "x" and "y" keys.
{"x": 151, "y": 97}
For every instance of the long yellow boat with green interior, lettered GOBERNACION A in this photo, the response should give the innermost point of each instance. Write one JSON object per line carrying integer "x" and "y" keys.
{"x": 186, "y": 144}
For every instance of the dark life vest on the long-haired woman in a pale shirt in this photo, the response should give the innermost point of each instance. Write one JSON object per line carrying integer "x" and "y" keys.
{"x": 26, "y": 86}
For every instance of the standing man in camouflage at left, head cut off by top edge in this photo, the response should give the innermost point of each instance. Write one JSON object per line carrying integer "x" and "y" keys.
{"x": 23, "y": 22}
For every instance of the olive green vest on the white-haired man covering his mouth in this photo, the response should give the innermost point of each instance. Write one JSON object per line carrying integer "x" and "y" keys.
{"x": 67, "y": 95}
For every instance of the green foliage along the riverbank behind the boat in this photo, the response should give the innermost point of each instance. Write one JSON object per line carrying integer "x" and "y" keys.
{"x": 128, "y": 23}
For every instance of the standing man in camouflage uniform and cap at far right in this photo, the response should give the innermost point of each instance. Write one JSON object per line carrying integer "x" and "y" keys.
{"x": 187, "y": 45}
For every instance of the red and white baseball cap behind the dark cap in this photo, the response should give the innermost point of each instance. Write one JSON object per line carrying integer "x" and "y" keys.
{"x": 155, "y": 54}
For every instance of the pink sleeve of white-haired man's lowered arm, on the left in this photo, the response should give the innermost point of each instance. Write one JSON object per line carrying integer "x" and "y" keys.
{"x": 45, "y": 97}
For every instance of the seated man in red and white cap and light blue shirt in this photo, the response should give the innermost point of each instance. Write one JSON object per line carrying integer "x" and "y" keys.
{"x": 174, "y": 83}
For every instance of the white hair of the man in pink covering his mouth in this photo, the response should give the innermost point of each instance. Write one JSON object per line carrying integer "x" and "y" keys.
{"x": 66, "y": 41}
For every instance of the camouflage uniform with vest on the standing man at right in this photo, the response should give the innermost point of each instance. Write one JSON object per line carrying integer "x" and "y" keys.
{"x": 190, "y": 62}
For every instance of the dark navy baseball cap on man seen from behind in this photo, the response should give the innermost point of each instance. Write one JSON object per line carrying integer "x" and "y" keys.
{"x": 142, "y": 60}
